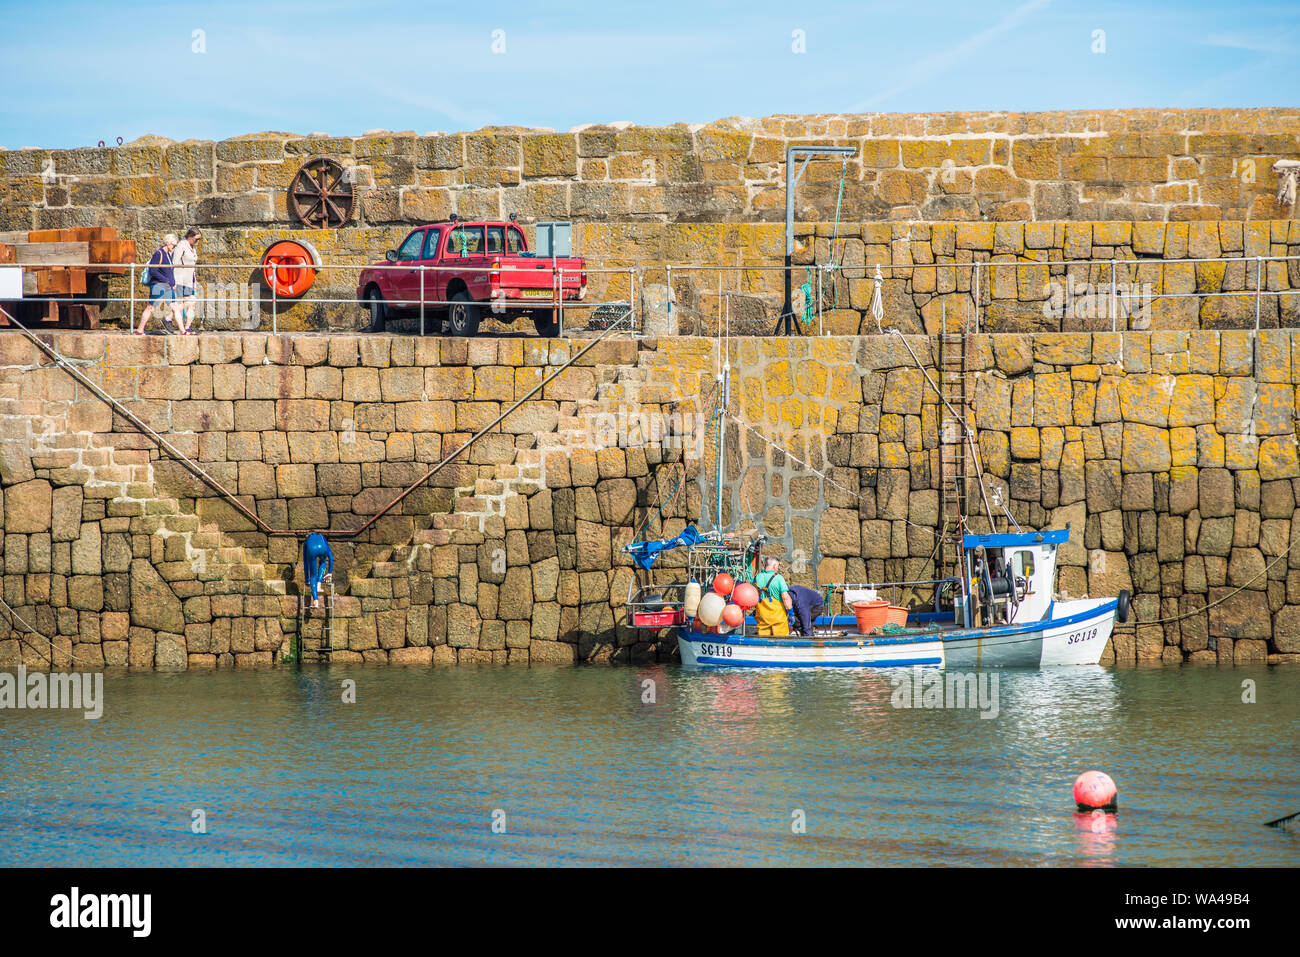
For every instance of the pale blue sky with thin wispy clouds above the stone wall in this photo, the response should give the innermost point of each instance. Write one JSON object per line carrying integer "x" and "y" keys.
{"x": 75, "y": 73}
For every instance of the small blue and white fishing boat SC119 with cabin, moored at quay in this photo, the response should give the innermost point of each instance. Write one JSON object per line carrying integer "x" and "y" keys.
{"x": 1002, "y": 613}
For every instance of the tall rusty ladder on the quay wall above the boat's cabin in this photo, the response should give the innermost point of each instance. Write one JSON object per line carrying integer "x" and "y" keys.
{"x": 955, "y": 477}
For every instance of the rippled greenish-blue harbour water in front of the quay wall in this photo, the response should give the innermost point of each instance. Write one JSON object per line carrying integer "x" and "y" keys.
{"x": 712, "y": 774}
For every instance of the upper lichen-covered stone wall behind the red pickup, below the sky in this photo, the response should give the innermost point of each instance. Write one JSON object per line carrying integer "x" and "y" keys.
{"x": 713, "y": 194}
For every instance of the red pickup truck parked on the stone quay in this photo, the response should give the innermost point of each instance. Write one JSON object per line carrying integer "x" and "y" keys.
{"x": 470, "y": 267}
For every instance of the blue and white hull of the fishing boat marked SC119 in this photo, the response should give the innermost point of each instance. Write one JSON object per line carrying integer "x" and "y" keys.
{"x": 1074, "y": 634}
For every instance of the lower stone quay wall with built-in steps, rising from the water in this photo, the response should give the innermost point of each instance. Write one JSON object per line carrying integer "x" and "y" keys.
{"x": 1172, "y": 454}
